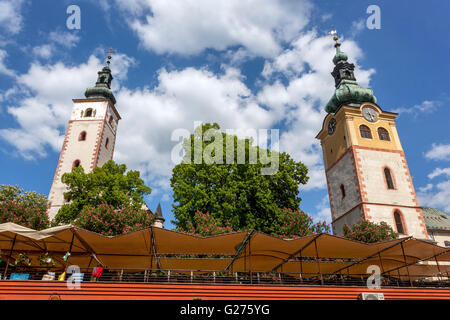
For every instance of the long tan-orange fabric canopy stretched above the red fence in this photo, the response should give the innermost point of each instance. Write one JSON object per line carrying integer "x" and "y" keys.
{"x": 156, "y": 248}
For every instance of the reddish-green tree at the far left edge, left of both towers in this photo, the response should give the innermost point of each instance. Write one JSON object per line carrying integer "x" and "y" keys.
{"x": 28, "y": 209}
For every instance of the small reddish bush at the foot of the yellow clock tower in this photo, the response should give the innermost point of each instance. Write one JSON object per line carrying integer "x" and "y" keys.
{"x": 369, "y": 232}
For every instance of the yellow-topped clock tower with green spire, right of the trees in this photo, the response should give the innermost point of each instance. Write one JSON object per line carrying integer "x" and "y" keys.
{"x": 366, "y": 170}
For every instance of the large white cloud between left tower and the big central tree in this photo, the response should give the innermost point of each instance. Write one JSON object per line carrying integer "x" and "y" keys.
{"x": 180, "y": 99}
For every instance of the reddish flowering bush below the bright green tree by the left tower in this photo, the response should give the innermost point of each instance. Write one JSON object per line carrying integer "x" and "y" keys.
{"x": 107, "y": 220}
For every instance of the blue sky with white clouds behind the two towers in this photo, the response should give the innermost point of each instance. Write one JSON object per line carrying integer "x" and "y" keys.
{"x": 245, "y": 64}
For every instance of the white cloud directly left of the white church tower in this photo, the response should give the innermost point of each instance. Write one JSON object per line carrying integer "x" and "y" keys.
{"x": 44, "y": 112}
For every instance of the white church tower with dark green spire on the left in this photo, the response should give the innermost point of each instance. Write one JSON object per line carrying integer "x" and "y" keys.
{"x": 90, "y": 135}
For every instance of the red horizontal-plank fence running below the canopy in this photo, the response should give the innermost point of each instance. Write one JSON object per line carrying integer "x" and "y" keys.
{"x": 42, "y": 290}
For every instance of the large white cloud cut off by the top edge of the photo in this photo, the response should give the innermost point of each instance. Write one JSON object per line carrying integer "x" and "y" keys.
{"x": 191, "y": 26}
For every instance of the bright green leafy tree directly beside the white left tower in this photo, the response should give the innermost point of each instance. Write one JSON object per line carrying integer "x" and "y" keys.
{"x": 110, "y": 184}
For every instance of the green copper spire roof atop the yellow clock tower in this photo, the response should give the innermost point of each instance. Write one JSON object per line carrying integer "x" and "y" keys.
{"x": 348, "y": 91}
